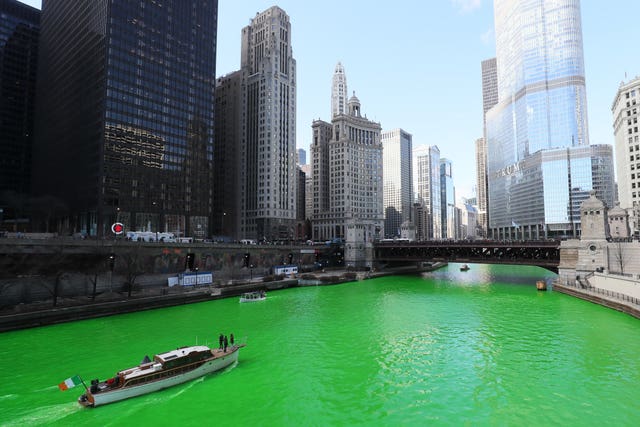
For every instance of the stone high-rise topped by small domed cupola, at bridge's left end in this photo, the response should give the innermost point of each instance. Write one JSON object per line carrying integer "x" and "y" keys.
{"x": 347, "y": 178}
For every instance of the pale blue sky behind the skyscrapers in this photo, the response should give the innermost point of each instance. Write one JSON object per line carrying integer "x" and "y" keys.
{"x": 415, "y": 64}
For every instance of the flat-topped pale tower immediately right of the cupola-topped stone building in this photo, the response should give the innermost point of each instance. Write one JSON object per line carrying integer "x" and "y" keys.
{"x": 398, "y": 187}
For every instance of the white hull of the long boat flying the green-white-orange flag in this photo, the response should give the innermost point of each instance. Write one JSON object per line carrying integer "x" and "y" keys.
{"x": 110, "y": 396}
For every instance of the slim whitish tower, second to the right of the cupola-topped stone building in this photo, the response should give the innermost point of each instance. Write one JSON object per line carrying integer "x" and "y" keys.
{"x": 426, "y": 184}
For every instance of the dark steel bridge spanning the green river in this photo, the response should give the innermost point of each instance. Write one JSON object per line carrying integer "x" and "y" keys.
{"x": 544, "y": 254}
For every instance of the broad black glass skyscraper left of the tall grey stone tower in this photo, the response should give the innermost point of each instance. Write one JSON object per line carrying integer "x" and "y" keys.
{"x": 124, "y": 121}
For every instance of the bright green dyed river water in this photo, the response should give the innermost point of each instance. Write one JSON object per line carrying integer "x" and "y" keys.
{"x": 481, "y": 347}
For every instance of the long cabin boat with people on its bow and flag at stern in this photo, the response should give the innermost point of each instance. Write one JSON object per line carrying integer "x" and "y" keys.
{"x": 165, "y": 370}
